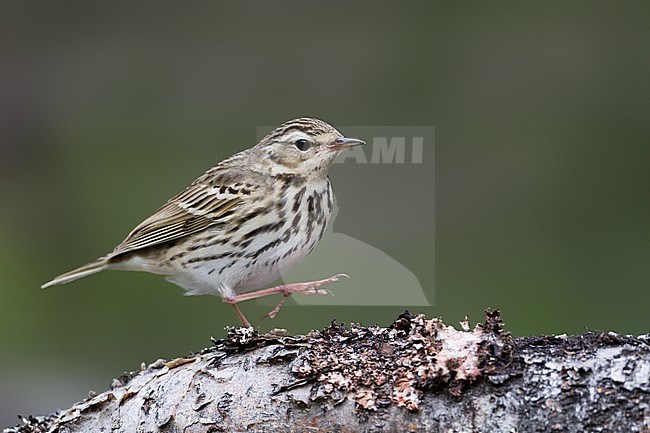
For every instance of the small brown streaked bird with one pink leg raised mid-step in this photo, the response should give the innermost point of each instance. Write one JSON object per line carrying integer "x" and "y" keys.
{"x": 243, "y": 223}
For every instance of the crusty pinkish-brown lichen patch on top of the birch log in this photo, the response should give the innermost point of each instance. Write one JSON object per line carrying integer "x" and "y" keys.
{"x": 395, "y": 365}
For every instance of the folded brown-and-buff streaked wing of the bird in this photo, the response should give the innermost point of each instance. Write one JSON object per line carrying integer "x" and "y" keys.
{"x": 207, "y": 202}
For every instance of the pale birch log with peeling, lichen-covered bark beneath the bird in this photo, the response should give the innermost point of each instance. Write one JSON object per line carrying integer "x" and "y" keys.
{"x": 416, "y": 375}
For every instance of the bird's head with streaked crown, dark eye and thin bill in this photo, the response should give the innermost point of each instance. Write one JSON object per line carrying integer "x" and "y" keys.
{"x": 304, "y": 146}
